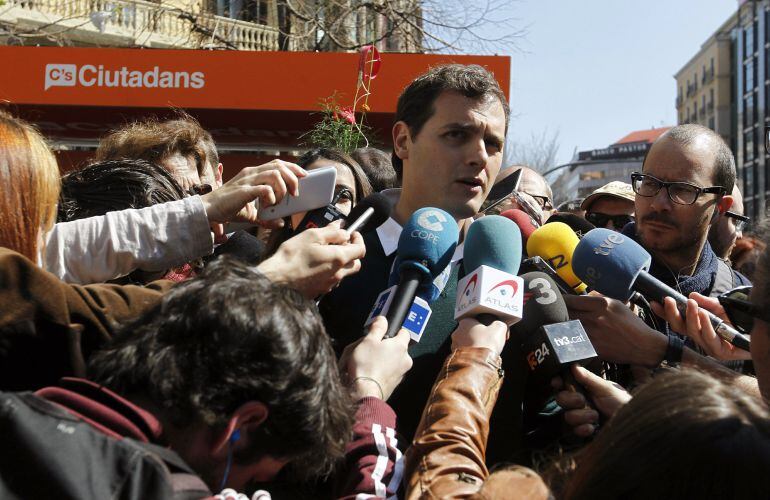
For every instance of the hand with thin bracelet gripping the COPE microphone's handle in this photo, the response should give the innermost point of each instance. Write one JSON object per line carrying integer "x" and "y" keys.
{"x": 373, "y": 363}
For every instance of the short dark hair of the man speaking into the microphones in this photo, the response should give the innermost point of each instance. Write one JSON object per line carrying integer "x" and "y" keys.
{"x": 415, "y": 104}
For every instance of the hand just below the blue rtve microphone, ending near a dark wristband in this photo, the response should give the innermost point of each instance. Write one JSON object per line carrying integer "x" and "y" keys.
{"x": 617, "y": 334}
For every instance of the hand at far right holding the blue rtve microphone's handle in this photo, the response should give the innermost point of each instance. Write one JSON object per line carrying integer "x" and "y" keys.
{"x": 698, "y": 327}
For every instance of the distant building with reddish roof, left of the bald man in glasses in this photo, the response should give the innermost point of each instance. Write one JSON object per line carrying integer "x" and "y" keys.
{"x": 595, "y": 168}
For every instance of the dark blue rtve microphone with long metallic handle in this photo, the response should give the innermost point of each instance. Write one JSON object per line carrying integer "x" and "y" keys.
{"x": 617, "y": 266}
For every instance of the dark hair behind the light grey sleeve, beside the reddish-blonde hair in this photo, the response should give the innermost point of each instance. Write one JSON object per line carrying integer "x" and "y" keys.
{"x": 115, "y": 185}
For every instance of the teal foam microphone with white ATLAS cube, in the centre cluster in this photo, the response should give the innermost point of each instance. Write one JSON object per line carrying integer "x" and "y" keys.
{"x": 492, "y": 290}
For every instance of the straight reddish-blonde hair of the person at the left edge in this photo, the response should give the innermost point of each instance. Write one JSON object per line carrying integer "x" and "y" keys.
{"x": 29, "y": 186}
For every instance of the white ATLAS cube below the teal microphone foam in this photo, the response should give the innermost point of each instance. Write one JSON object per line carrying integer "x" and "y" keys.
{"x": 491, "y": 291}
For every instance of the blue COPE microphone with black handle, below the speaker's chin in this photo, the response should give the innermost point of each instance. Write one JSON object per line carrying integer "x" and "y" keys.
{"x": 425, "y": 248}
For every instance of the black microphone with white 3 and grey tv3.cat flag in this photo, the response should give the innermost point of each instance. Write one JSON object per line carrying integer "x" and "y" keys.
{"x": 550, "y": 341}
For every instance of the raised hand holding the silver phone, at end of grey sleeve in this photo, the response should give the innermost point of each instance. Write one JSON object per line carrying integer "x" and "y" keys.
{"x": 268, "y": 183}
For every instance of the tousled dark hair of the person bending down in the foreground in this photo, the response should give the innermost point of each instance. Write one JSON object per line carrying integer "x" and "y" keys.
{"x": 231, "y": 336}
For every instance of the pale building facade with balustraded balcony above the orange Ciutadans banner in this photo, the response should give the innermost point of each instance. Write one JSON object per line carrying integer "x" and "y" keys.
{"x": 298, "y": 25}
